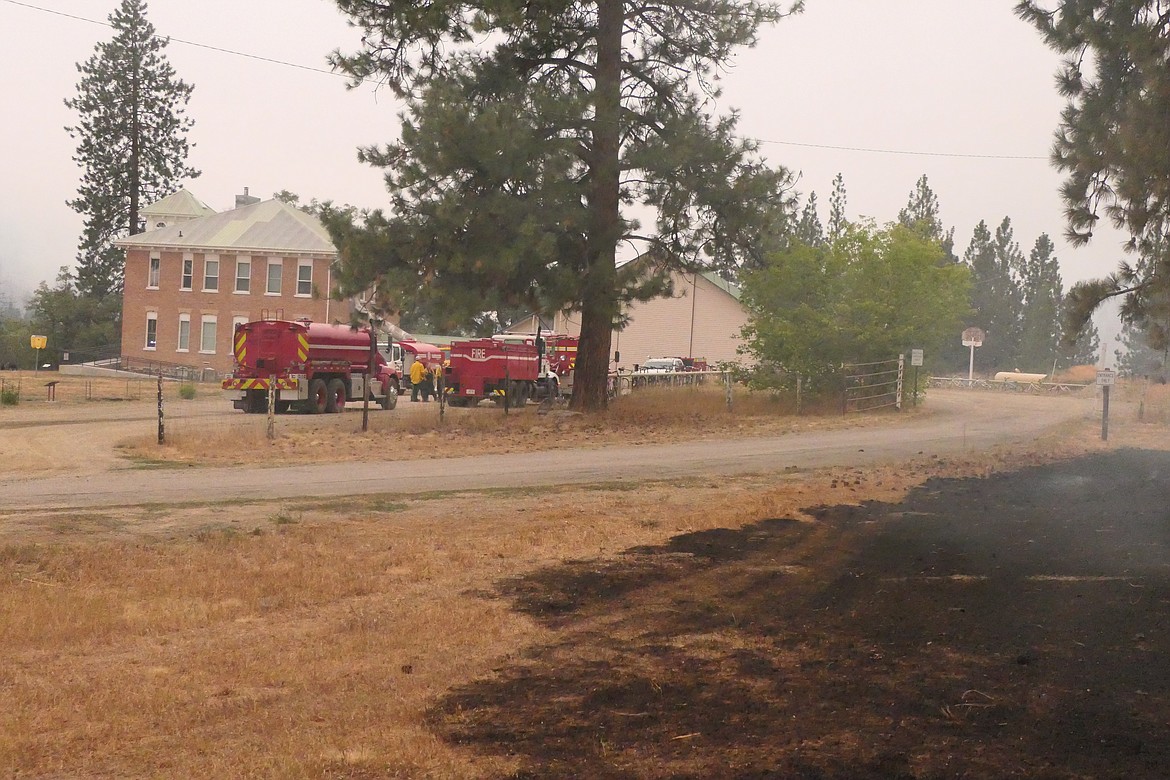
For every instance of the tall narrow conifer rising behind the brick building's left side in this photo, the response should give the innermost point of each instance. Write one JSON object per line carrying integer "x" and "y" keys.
{"x": 132, "y": 142}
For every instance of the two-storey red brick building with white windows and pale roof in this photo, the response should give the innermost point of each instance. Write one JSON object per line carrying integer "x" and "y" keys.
{"x": 195, "y": 274}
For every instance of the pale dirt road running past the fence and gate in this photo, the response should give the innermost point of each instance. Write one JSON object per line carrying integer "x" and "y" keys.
{"x": 960, "y": 423}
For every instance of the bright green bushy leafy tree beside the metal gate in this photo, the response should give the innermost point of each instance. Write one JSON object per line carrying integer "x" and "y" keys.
{"x": 868, "y": 296}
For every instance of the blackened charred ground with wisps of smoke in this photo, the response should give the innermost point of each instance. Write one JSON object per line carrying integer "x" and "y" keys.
{"x": 1009, "y": 626}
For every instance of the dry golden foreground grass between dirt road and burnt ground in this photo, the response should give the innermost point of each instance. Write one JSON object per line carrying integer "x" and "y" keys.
{"x": 308, "y": 639}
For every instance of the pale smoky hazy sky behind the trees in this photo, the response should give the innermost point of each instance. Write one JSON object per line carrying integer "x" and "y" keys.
{"x": 882, "y": 92}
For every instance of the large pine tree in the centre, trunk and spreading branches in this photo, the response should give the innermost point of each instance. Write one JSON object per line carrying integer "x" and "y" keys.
{"x": 529, "y": 133}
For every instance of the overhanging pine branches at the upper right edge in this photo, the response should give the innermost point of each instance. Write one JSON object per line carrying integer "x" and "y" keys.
{"x": 1113, "y": 140}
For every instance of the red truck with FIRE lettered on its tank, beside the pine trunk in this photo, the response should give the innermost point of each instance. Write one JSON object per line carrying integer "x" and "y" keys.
{"x": 508, "y": 370}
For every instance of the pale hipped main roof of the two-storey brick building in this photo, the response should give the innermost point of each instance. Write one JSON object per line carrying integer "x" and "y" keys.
{"x": 265, "y": 227}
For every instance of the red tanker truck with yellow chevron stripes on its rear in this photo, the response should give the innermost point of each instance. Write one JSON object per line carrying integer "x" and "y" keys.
{"x": 314, "y": 367}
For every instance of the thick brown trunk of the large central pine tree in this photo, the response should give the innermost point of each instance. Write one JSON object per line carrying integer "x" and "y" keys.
{"x": 600, "y": 300}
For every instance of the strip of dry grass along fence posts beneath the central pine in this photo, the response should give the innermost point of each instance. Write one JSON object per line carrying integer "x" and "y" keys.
{"x": 415, "y": 431}
